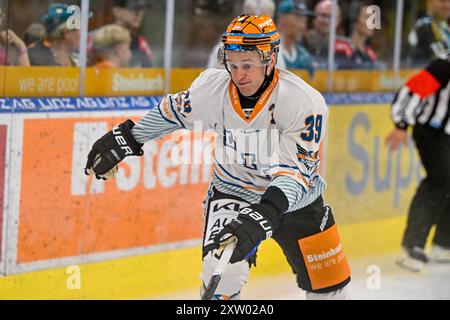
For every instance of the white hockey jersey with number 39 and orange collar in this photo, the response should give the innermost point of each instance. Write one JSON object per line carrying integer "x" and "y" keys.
{"x": 277, "y": 145}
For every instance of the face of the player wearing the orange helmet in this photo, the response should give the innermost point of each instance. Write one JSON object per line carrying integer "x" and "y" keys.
{"x": 246, "y": 70}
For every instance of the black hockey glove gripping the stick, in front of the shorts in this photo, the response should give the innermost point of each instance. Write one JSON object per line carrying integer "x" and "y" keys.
{"x": 253, "y": 225}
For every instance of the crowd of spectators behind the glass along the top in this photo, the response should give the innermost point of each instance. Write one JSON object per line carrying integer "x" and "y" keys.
{"x": 304, "y": 27}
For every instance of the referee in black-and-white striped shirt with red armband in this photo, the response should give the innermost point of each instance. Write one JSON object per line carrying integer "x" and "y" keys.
{"x": 423, "y": 103}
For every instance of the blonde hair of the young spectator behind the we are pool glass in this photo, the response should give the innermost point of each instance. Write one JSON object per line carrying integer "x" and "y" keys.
{"x": 109, "y": 36}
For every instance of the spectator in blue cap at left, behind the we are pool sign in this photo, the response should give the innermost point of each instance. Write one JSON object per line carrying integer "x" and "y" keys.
{"x": 61, "y": 44}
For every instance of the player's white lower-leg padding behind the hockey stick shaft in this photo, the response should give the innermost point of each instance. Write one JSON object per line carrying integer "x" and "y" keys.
{"x": 233, "y": 278}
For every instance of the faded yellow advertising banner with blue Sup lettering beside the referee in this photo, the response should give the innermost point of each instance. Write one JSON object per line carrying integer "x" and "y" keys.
{"x": 365, "y": 180}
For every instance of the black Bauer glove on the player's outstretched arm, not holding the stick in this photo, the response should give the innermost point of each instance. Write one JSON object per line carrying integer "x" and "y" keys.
{"x": 112, "y": 148}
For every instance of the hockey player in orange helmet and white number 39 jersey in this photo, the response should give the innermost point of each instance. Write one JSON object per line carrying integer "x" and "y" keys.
{"x": 266, "y": 183}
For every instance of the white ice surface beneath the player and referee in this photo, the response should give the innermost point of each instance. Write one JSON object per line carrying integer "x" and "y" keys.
{"x": 373, "y": 278}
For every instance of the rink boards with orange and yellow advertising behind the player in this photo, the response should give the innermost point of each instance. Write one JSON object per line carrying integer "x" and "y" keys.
{"x": 139, "y": 235}
